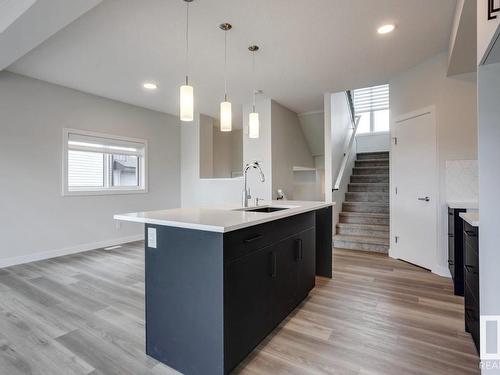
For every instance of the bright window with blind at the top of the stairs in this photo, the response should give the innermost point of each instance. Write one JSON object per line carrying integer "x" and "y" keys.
{"x": 372, "y": 104}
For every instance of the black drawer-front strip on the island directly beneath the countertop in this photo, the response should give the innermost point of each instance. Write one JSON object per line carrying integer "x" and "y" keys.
{"x": 241, "y": 242}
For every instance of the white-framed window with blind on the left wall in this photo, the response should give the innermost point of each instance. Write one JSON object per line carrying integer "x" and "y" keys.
{"x": 102, "y": 164}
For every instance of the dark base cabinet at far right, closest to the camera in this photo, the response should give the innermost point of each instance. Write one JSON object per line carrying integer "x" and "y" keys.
{"x": 471, "y": 276}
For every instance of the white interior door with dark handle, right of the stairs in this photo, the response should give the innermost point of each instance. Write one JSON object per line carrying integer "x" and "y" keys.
{"x": 414, "y": 193}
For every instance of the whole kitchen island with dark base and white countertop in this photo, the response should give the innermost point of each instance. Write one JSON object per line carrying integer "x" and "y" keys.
{"x": 219, "y": 280}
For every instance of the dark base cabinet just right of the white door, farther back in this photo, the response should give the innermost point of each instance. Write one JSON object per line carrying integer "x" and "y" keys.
{"x": 455, "y": 249}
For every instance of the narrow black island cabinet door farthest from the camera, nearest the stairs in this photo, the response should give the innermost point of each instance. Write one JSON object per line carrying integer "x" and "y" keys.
{"x": 306, "y": 263}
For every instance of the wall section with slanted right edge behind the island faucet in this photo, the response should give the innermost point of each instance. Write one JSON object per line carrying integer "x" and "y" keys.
{"x": 289, "y": 148}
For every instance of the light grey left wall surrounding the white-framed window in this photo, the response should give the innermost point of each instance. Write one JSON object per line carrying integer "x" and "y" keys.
{"x": 36, "y": 222}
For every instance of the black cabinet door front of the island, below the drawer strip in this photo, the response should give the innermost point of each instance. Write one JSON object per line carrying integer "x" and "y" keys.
{"x": 255, "y": 305}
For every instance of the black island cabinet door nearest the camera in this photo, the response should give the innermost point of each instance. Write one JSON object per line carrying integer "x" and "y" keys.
{"x": 248, "y": 288}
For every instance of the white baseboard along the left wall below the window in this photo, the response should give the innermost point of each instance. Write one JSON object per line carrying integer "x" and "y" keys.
{"x": 12, "y": 261}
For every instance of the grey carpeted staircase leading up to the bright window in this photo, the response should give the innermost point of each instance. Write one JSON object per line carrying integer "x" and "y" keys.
{"x": 364, "y": 220}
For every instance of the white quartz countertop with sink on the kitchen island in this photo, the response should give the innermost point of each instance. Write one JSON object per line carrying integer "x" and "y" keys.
{"x": 220, "y": 219}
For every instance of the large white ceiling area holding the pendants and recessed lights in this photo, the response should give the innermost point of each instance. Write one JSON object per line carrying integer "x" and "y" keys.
{"x": 308, "y": 47}
